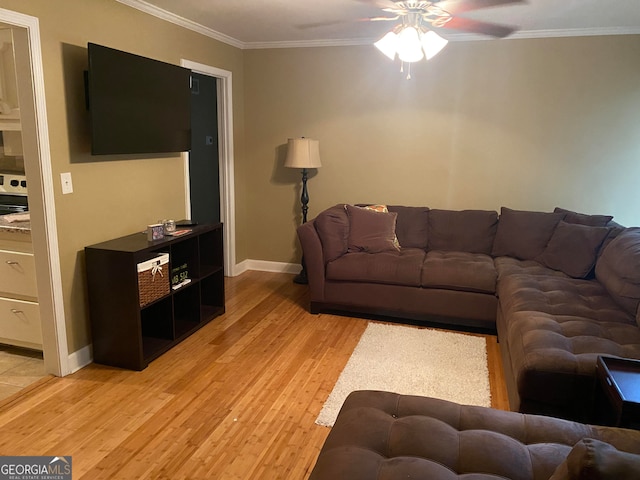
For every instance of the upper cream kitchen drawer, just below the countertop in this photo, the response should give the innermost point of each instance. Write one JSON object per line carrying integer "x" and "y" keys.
{"x": 17, "y": 274}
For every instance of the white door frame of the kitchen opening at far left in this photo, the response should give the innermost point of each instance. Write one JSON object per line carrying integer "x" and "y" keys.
{"x": 37, "y": 163}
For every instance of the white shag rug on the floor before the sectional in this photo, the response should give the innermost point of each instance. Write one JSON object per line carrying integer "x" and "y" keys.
{"x": 414, "y": 361}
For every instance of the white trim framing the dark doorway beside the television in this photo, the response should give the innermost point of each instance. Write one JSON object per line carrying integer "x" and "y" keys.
{"x": 224, "y": 91}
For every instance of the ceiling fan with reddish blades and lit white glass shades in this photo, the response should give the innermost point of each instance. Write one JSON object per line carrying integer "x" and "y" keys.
{"x": 415, "y": 37}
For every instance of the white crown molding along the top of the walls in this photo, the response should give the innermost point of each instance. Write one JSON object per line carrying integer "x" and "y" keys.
{"x": 196, "y": 27}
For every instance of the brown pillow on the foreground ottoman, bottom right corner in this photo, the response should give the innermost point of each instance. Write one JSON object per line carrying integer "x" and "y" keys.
{"x": 592, "y": 459}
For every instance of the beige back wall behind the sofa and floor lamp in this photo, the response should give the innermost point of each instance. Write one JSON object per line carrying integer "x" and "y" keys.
{"x": 529, "y": 124}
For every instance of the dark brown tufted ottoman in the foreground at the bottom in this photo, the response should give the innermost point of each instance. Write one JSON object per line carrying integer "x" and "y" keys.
{"x": 382, "y": 435}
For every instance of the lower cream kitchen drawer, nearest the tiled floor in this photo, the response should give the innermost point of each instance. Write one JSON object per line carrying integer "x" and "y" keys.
{"x": 20, "y": 322}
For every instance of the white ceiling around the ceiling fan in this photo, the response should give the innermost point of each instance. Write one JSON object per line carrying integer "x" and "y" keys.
{"x": 281, "y": 23}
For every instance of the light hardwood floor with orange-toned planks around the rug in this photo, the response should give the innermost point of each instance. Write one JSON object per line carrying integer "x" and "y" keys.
{"x": 236, "y": 400}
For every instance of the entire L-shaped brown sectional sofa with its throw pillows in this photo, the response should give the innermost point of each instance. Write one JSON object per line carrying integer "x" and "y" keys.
{"x": 560, "y": 288}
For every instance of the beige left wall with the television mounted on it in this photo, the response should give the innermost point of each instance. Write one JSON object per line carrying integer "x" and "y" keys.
{"x": 113, "y": 195}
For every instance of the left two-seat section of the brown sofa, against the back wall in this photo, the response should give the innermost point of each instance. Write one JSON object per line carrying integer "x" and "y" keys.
{"x": 443, "y": 271}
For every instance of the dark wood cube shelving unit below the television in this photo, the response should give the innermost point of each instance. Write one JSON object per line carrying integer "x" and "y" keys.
{"x": 128, "y": 335}
